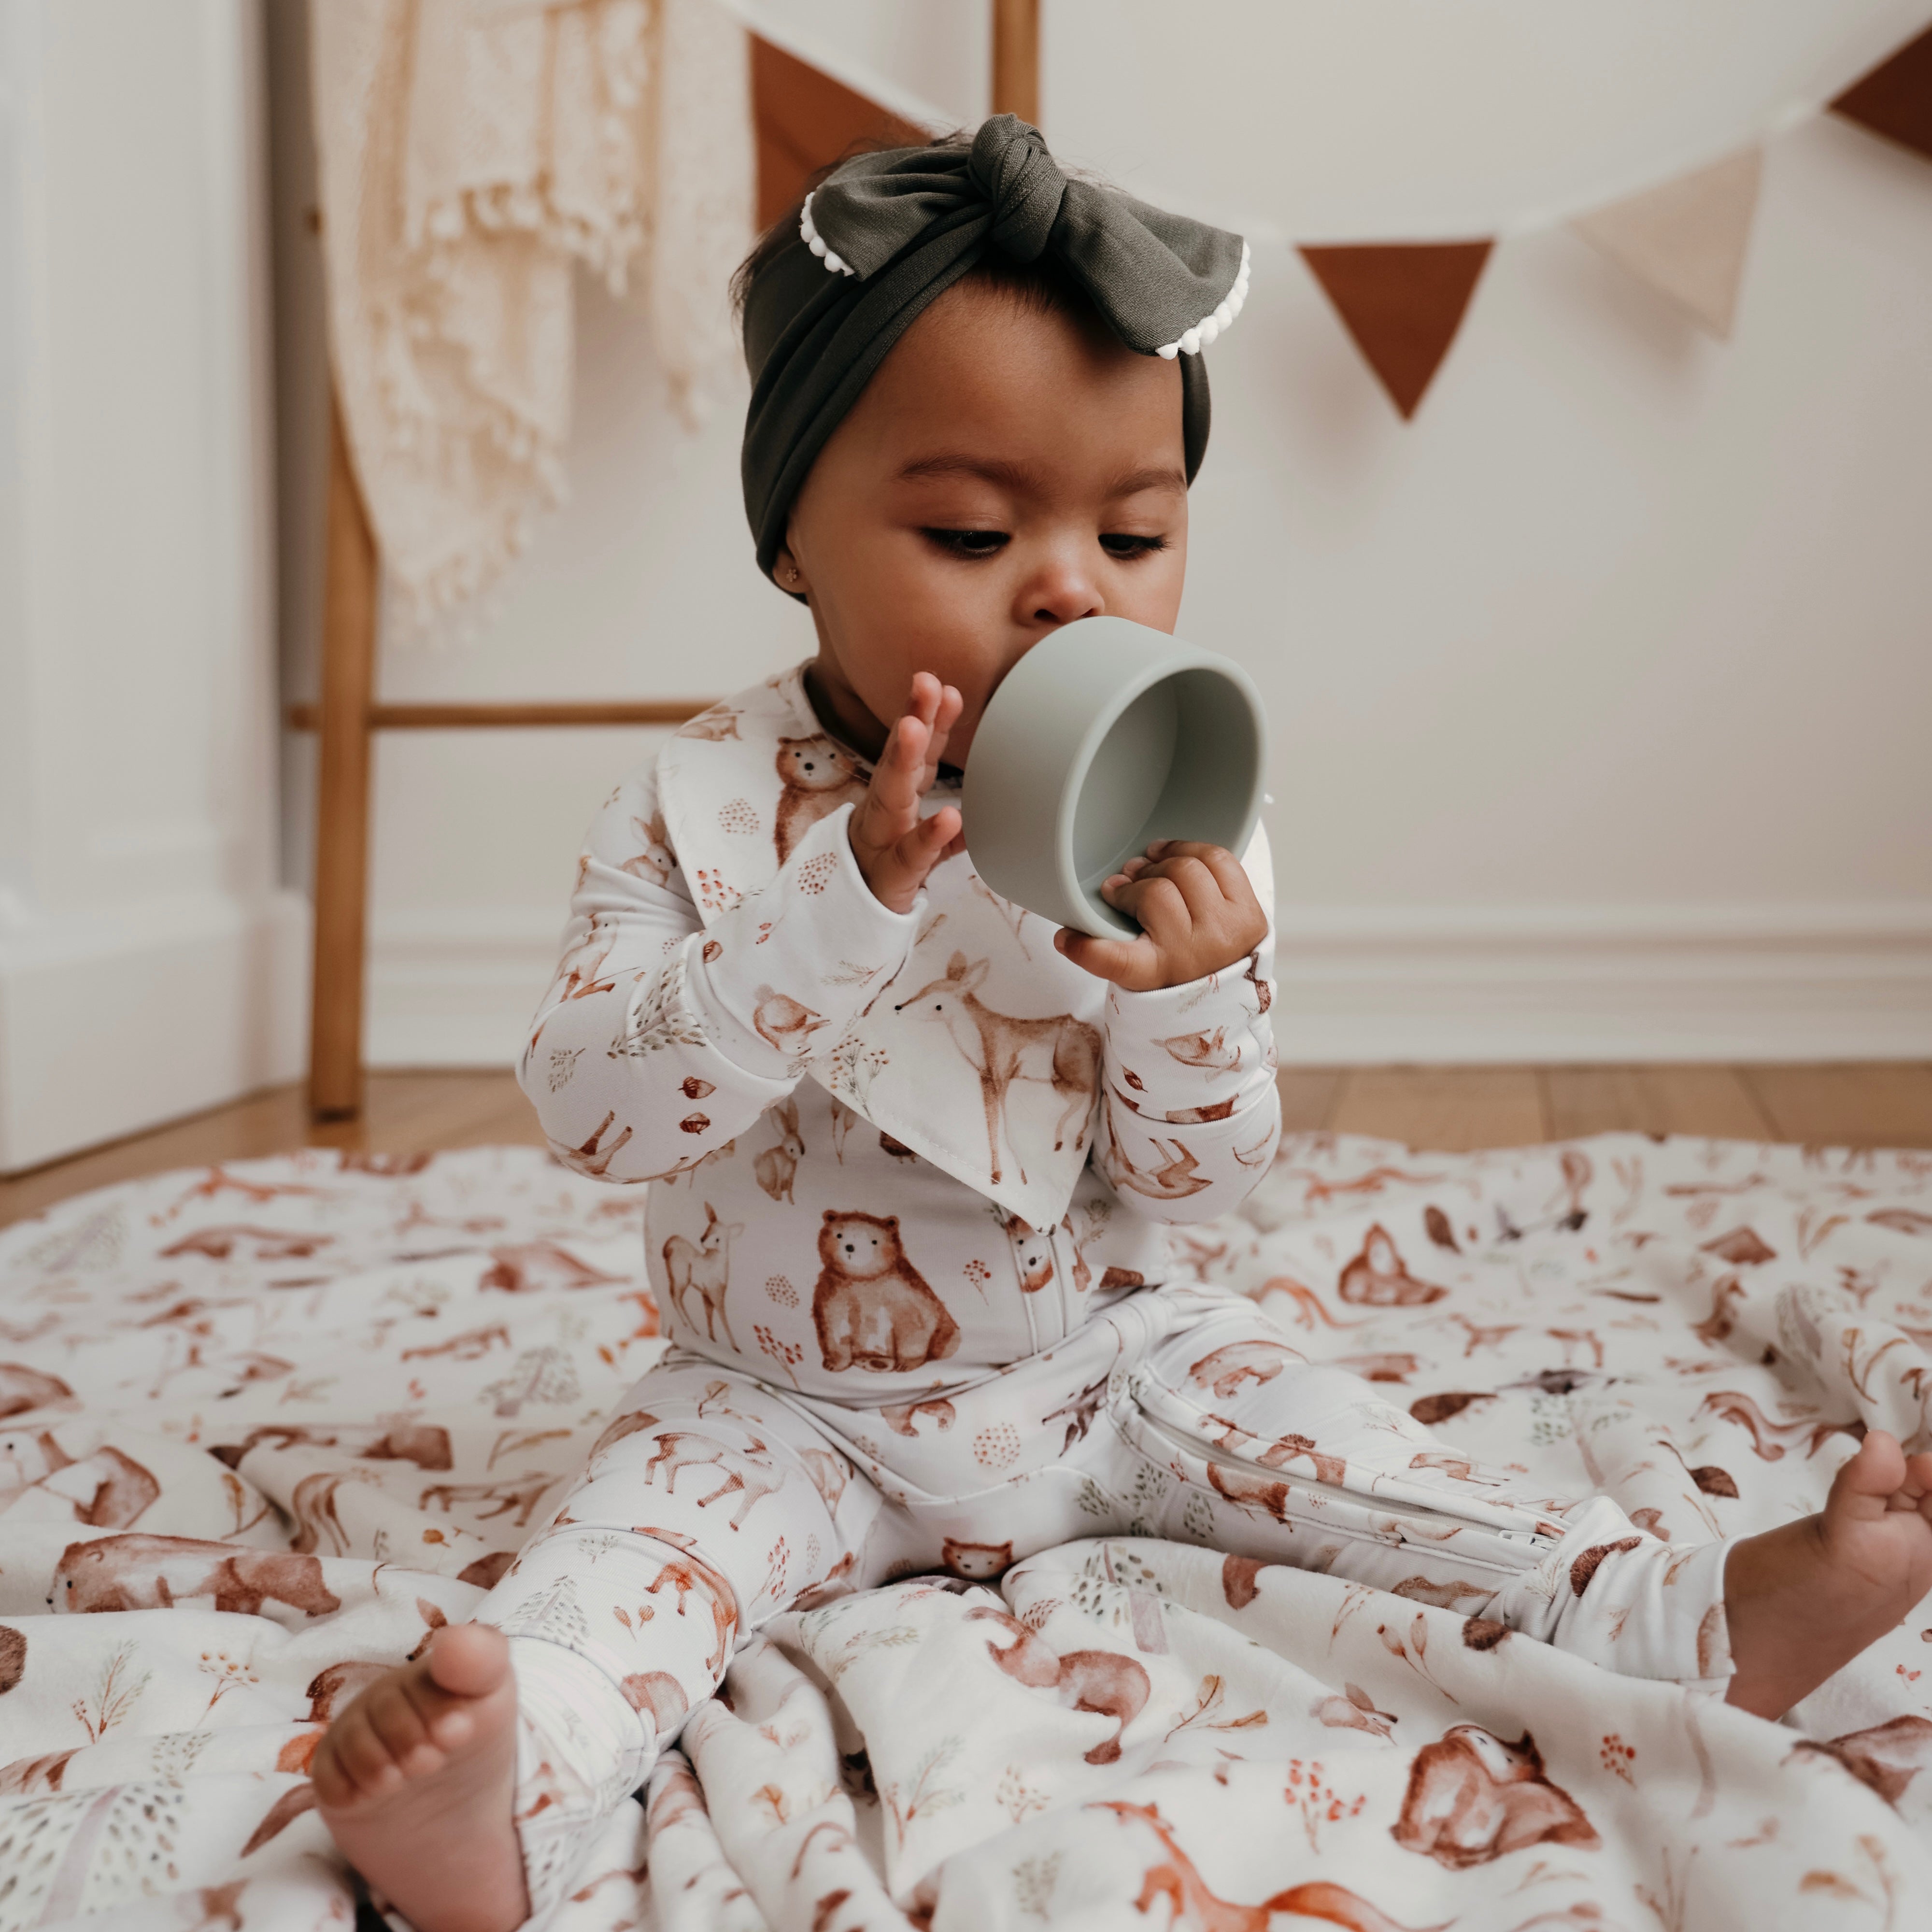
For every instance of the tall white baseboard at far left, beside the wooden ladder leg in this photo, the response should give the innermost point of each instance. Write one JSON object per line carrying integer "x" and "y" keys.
{"x": 121, "y": 1019}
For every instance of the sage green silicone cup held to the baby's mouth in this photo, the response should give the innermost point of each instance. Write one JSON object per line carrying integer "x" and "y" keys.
{"x": 1100, "y": 741}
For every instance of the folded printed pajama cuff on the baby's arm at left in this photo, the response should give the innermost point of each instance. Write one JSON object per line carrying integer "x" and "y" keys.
{"x": 778, "y": 980}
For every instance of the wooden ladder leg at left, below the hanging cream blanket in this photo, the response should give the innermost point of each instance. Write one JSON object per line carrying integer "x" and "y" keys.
{"x": 343, "y": 793}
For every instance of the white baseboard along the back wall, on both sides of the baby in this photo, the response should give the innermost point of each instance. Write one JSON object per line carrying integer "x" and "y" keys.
{"x": 1369, "y": 986}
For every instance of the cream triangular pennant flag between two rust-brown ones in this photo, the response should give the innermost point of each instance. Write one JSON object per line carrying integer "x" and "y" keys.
{"x": 1686, "y": 239}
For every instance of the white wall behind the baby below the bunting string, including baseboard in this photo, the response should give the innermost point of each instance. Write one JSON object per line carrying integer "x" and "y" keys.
{"x": 1599, "y": 691}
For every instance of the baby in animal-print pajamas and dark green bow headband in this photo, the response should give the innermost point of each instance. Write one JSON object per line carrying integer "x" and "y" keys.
{"x": 915, "y": 1152}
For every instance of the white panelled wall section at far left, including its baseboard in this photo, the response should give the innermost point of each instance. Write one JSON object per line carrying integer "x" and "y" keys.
{"x": 150, "y": 965}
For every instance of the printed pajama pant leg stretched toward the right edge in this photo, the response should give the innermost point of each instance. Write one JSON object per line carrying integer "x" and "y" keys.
{"x": 1286, "y": 1462}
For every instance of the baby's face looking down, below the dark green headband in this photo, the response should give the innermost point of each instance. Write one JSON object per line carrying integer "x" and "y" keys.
{"x": 1004, "y": 474}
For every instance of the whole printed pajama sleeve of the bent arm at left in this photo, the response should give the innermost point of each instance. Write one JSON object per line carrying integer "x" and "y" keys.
{"x": 664, "y": 1038}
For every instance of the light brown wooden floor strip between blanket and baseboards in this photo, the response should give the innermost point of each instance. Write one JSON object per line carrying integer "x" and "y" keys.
{"x": 1446, "y": 1108}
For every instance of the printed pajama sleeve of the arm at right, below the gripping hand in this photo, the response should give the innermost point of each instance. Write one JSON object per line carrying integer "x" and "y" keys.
{"x": 1189, "y": 1110}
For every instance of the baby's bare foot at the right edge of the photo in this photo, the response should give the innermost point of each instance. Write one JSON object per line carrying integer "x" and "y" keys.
{"x": 1807, "y": 1599}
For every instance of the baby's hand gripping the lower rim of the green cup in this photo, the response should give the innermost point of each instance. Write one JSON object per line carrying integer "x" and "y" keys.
{"x": 1197, "y": 915}
